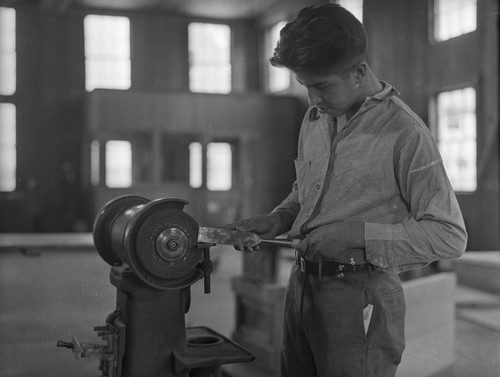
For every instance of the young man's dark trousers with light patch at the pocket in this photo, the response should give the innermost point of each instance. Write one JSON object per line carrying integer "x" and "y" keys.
{"x": 324, "y": 331}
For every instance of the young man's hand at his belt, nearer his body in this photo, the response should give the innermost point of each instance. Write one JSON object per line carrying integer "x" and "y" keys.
{"x": 328, "y": 241}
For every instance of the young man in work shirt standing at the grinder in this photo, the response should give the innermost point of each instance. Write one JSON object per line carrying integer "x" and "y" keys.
{"x": 371, "y": 199}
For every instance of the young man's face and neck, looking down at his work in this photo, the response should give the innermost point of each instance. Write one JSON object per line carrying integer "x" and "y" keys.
{"x": 334, "y": 93}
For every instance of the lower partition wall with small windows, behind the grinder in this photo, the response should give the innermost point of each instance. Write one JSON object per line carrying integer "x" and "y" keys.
{"x": 263, "y": 128}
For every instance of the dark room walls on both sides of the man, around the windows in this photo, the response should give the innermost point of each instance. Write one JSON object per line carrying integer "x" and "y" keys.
{"x": 51, "y": 86}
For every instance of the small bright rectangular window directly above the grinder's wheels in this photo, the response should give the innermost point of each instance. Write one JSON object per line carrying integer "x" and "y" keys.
{"x": 118, "y": 163}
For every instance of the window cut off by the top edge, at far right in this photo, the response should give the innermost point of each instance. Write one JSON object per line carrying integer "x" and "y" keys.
{"x": 453, "y": 18}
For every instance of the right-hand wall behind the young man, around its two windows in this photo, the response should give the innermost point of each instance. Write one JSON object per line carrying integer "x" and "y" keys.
{"x": 401, "y": 53}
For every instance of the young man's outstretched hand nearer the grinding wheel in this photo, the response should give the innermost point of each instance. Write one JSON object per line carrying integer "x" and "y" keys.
{"x": 265, "y": 226}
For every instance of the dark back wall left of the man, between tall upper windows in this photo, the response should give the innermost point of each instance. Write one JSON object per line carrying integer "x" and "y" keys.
{"x": 50, "y": 95}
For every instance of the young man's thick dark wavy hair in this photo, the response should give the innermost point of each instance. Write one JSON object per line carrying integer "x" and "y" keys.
{"x": 320, "y": 38}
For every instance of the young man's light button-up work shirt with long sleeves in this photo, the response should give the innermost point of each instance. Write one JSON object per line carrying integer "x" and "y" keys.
{"x": 381, "y": 168}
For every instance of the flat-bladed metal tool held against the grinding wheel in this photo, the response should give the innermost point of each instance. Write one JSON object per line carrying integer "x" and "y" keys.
{"x": 237, "y": 238}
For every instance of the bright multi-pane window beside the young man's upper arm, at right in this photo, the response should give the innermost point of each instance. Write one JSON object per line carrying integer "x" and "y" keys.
{"x": 456, "y": 136}
